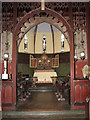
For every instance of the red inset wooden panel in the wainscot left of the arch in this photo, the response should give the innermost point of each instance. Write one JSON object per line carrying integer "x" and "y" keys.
{"x": 8, "y": 94}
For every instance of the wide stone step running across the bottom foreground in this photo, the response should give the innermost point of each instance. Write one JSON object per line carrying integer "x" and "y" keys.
{"x": 45, "y": 115}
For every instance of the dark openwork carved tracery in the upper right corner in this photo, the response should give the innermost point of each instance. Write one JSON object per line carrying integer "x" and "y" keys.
{"x": 79, "y": 15}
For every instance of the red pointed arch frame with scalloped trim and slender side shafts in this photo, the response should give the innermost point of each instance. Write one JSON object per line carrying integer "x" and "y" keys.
{"x": 27, "y": 22}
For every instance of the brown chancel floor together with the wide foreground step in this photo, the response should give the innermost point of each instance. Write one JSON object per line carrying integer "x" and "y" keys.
{"x": 43, "y": 106}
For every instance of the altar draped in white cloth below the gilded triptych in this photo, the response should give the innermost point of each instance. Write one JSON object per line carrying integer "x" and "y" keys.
{"x": 44, "y": 76}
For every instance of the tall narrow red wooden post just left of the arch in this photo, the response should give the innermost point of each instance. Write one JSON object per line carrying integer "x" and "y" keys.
{"x": 14, "y": 53}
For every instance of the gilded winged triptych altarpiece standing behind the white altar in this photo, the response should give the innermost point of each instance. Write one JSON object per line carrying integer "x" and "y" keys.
{"x": 44, "y": 62}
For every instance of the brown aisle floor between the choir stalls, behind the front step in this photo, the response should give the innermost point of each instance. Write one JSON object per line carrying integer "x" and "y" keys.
{"x": 43, "y": 101}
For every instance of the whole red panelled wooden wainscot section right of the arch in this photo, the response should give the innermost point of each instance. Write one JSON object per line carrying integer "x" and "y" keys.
{"x": 82, "y": 90}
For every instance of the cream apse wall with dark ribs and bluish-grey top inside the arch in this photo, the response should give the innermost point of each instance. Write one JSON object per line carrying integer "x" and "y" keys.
{"x": 55, "y": 40}
